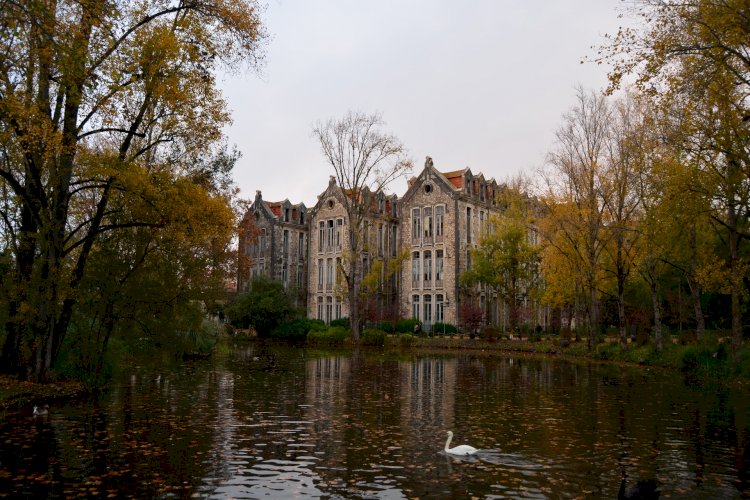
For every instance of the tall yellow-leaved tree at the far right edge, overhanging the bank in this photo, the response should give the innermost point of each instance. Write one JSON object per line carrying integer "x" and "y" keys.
{"x": 694, "y": 53}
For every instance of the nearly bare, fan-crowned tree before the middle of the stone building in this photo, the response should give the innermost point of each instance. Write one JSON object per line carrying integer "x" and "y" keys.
{"x": 365, "y": 160}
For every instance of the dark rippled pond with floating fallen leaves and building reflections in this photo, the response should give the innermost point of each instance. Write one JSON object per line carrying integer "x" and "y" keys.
{"x": 280, "y": 422}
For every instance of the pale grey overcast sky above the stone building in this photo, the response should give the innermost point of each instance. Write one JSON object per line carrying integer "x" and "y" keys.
{"x": 478, "y": 83}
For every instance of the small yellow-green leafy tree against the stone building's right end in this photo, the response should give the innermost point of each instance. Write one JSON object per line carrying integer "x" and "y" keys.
{"x": 506, "y": 259}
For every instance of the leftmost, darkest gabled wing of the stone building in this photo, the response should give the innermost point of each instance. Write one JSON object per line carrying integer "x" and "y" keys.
{"x": 274, "y": 244}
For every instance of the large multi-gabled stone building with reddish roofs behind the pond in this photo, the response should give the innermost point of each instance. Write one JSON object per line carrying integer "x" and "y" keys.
{"x": 437, "y": 221}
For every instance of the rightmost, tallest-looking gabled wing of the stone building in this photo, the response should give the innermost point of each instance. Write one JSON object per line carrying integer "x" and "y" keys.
{"x": 443, "y": 217}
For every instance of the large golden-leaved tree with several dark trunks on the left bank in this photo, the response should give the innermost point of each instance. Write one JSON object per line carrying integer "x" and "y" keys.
{"x": 99, "y": 100}
